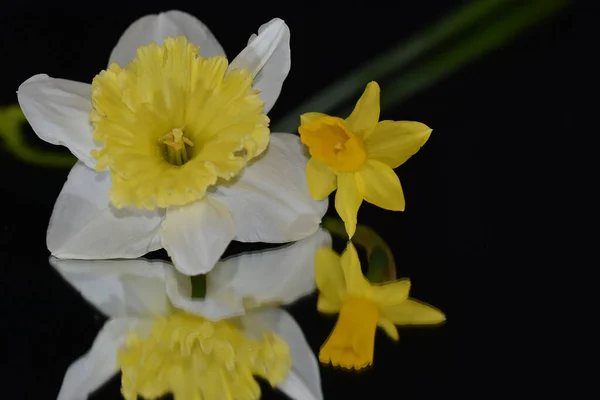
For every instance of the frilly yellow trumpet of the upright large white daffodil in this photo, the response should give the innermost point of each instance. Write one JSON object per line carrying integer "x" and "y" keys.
{"x": 172, "y": 123}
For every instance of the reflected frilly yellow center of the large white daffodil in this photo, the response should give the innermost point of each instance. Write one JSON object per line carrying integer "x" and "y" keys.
{"x": 195, "y": 358}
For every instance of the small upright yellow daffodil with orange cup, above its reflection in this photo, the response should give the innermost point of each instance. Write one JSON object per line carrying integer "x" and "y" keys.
{"x": 357, "y": 156}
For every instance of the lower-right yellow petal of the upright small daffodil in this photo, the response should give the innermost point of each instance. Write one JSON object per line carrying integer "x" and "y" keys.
{"x": 382, "y": 186}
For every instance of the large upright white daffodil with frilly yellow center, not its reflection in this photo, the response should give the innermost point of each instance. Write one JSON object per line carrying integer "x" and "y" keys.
{"x": 174, "y": 148}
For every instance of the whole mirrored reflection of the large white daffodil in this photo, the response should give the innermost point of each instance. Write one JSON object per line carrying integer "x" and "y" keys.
{"x": 156, "y": 332}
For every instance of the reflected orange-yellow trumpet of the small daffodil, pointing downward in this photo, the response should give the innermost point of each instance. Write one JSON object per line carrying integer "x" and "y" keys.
{"x": 352, "y": 341}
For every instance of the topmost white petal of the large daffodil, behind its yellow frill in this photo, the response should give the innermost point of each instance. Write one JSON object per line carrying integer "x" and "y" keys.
{"x": 156, "y": 28}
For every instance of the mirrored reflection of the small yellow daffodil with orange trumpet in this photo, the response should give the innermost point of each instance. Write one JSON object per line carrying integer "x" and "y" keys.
{"x": 362, "y": 306}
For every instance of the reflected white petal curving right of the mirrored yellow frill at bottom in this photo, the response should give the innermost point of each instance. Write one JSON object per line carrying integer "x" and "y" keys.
{"x": 304, "y": 379}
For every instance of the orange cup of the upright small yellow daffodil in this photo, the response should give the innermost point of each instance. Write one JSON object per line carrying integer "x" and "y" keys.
{"x": 330, "y": 142}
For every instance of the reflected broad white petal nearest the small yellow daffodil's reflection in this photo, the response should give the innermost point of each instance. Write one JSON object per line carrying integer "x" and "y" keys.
{"x": 280, "y": 275}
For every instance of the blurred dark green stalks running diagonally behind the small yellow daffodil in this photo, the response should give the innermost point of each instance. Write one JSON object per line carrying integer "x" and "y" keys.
{"x": 499, "y": 29}
